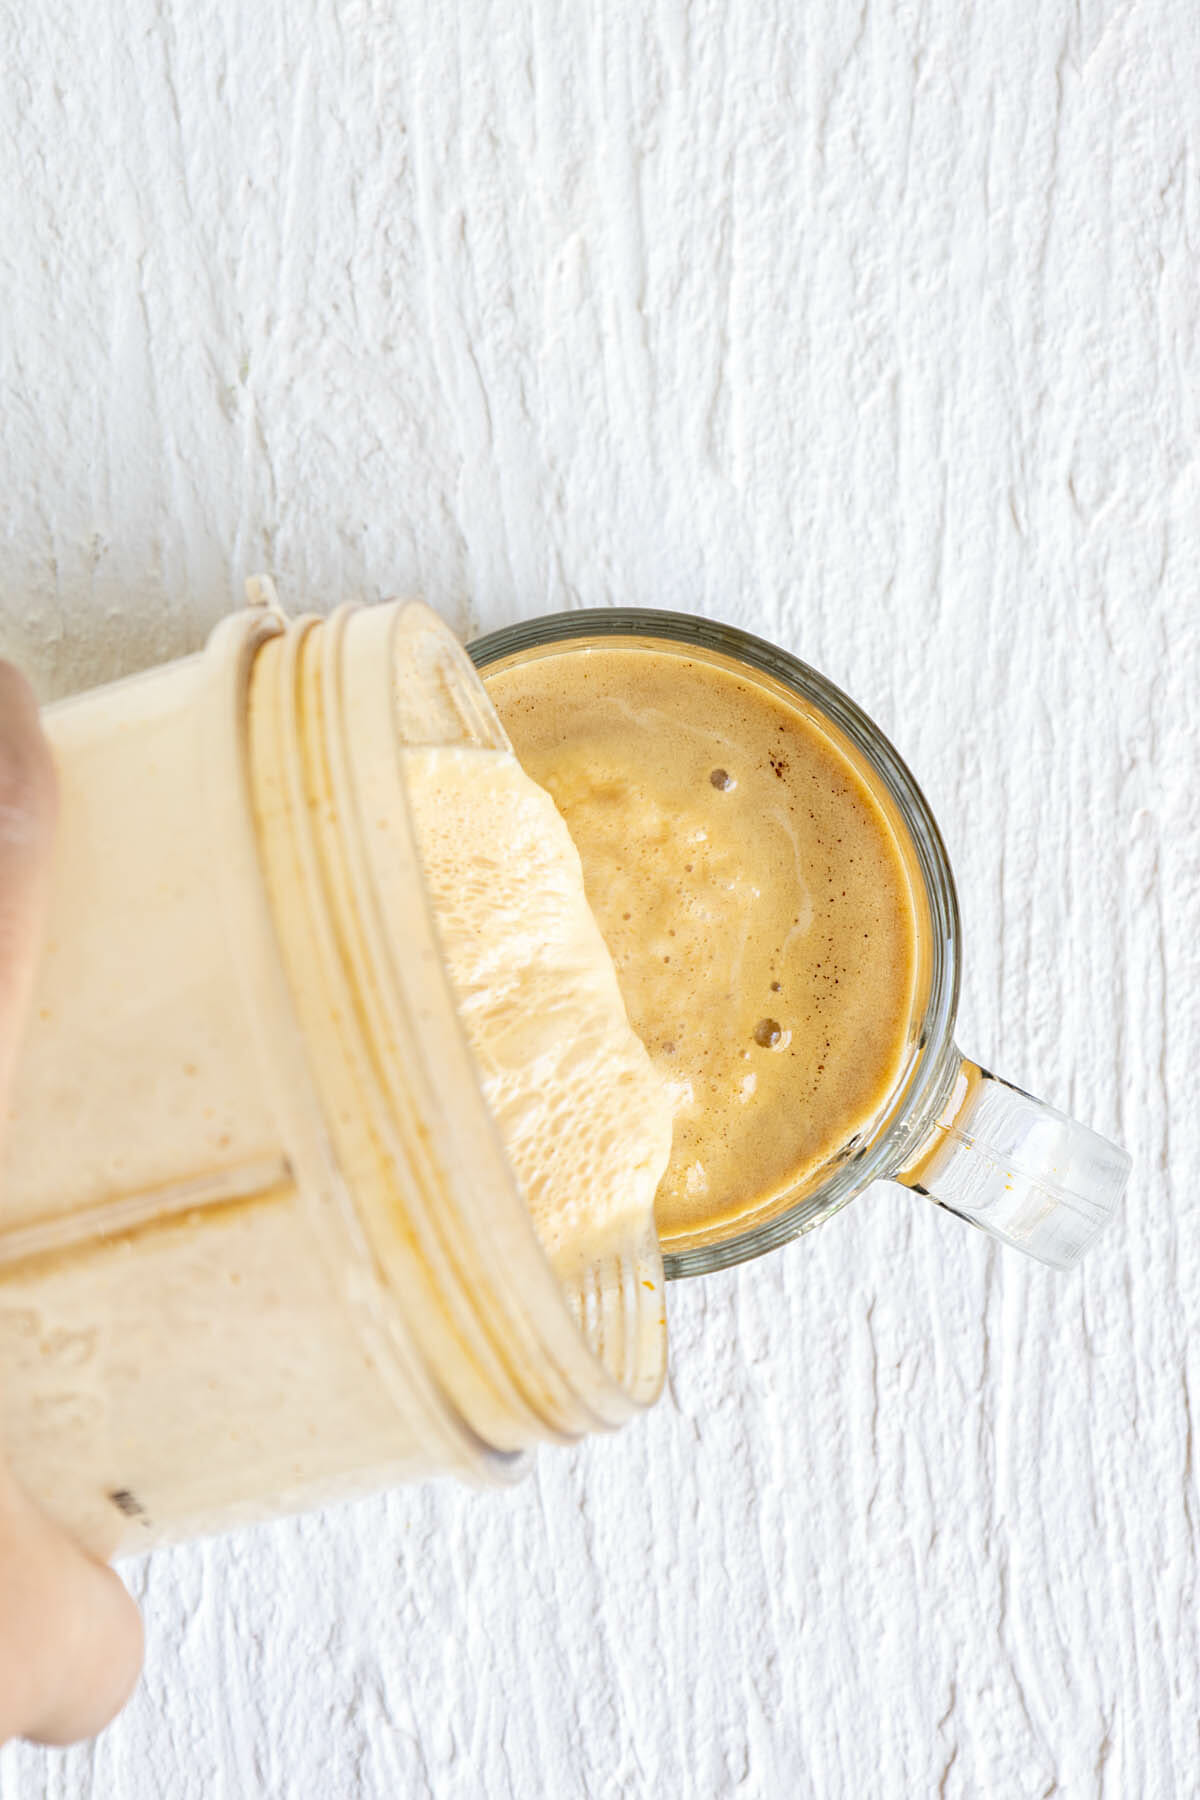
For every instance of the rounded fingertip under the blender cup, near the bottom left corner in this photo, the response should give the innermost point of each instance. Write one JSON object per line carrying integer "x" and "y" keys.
{"x": 71, "y": 1648}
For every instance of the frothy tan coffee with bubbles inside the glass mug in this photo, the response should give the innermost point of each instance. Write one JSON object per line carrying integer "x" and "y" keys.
{"x": 755, "y": 903}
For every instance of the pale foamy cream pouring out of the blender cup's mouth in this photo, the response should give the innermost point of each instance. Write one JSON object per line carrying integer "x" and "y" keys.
{"x": 580, "y": 1108}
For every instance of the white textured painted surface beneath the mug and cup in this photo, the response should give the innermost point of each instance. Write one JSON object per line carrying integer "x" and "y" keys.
{"x": 872, "y": 325}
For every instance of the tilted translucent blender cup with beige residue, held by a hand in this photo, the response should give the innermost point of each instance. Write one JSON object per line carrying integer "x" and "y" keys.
{"x": 260, "y": 1241}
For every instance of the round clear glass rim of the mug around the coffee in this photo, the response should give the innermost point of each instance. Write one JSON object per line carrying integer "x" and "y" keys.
{"x": 922, "y": 1090}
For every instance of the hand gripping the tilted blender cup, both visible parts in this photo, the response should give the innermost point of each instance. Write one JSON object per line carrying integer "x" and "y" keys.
{"x": 71, "y": 1639}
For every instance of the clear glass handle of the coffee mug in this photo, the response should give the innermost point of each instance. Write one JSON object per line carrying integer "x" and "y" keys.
{"x": 1017, "y": 1169}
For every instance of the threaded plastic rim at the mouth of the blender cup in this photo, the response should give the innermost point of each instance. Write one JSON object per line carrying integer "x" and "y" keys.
{"x": 463, "y": 1246}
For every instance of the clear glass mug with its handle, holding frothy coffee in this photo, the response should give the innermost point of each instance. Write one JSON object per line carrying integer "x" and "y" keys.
{"x": 951, "y": 1129}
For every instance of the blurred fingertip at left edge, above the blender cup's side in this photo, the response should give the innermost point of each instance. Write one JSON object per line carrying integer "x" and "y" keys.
{"x": 28, "y": 809}
